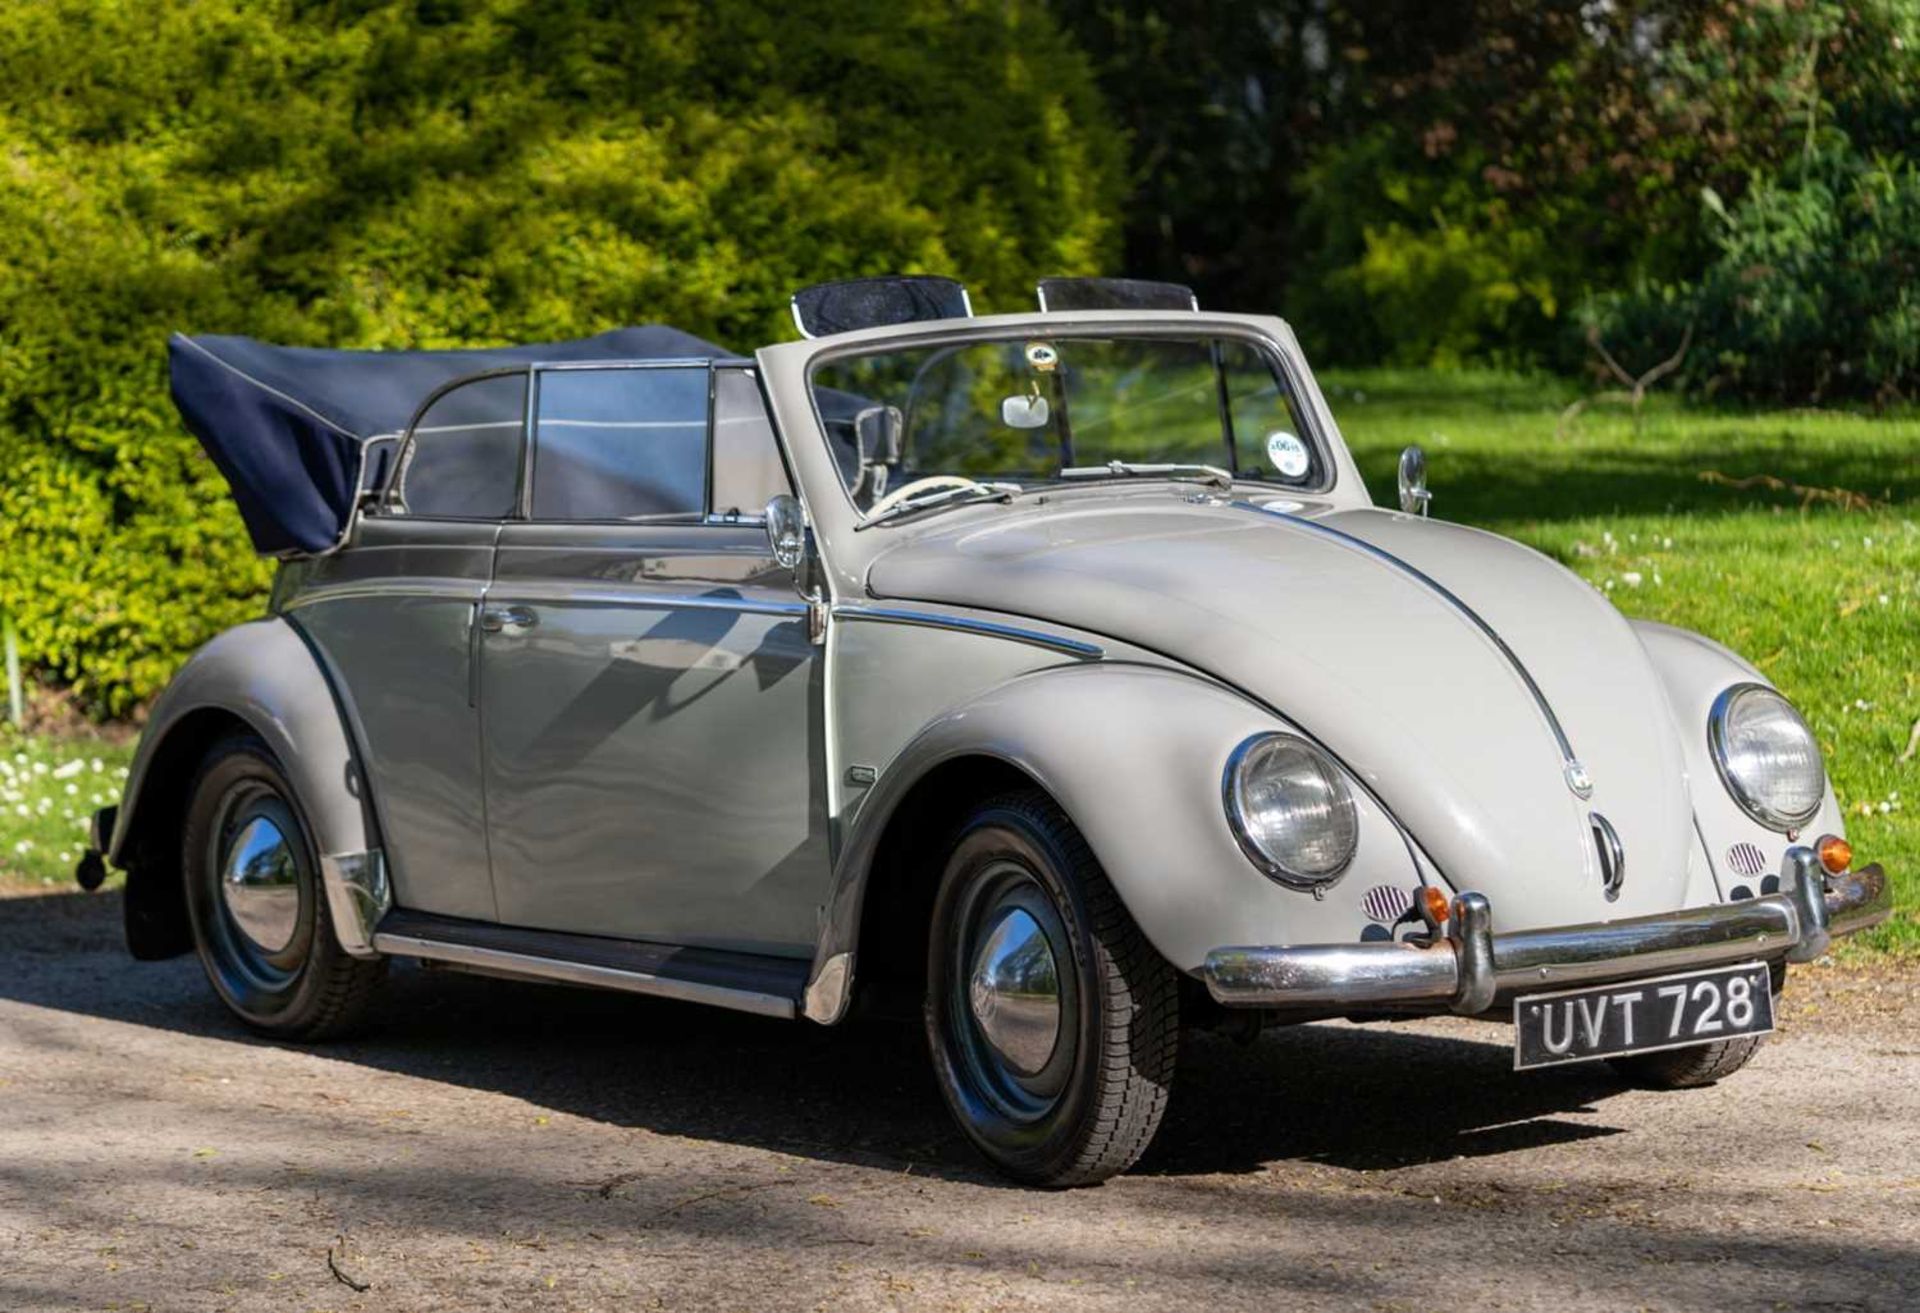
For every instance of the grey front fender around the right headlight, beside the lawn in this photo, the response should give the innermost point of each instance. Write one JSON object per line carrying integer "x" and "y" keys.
{"x": 1694, "y": 671}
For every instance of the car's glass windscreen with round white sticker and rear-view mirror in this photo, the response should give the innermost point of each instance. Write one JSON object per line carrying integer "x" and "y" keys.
{"x": 1026, "y": 410}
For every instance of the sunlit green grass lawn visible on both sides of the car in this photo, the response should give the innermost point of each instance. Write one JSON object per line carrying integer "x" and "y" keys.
{"x": 1827, "y": 602}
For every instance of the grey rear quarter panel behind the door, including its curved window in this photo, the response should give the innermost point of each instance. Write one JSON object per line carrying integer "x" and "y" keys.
{"x": 395, "y": 613}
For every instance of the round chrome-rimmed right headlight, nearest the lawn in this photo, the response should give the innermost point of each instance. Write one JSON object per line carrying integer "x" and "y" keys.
{"x": 1767, "y": 757}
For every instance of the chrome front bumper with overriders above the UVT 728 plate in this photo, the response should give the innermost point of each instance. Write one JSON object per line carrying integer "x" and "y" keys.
{"x": 1468, "y": 968}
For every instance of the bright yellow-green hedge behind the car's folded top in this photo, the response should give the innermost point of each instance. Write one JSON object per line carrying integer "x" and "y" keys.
{"x": 446, "y": 174}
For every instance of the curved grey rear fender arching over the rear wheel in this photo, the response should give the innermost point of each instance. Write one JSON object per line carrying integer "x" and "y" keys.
{"x": 266, "y": 679}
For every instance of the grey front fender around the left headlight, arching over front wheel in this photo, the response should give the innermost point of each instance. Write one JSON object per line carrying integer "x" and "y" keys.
{"x": 1138, "y": 757}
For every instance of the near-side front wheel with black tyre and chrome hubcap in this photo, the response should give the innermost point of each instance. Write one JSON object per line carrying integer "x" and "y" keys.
{"x": 1053, "y": 1022}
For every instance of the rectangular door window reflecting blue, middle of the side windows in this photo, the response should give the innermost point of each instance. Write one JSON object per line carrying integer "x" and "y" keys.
{"x": 621, "y": 444}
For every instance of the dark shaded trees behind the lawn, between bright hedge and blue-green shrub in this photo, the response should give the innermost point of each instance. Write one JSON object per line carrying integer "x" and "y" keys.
{"x": 1437, "y": 179}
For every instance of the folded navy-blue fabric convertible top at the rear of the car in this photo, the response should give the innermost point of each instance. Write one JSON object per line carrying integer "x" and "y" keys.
{"x": 287, "y": 425}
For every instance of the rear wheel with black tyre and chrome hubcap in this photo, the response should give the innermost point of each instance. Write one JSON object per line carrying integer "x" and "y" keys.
{"x": 254, "y": 899}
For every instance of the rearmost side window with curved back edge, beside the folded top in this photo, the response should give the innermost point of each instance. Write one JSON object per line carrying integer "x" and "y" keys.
{"x": 462, "y": 460}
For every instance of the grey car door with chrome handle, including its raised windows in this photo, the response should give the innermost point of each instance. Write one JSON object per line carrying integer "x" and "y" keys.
{"x": 652, "y": 705}
